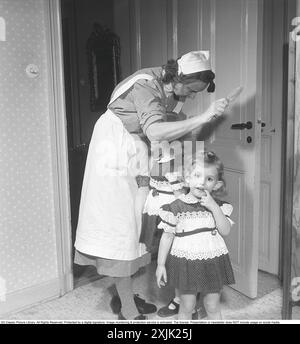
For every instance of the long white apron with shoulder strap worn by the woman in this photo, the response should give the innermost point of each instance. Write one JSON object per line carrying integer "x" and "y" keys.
{"x": 107, "y": 225}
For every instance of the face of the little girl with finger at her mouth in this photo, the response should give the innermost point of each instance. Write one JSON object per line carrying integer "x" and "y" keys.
{"x": 203, "y": 178}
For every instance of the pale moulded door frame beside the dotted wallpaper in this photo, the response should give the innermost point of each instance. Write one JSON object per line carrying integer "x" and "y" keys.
{"x": 58, "y": 132}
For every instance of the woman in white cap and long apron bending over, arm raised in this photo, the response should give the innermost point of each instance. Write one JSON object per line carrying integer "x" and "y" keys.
{"x": 116, "y": 178}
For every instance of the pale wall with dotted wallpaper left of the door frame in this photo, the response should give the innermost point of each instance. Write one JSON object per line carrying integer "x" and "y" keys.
{"x": 28, "y": 253}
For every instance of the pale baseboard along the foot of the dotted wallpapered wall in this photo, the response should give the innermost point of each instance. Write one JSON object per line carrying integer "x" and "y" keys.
{"x": 25, "y": 298}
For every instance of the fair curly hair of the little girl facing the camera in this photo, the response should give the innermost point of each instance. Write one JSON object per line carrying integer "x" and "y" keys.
{"x": 208, "y": 158}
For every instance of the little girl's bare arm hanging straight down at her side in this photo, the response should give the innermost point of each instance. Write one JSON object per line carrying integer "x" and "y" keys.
{"x": 163, "y": 251}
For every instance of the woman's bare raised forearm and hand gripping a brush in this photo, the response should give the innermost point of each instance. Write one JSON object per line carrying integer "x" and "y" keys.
{"x": 170, "y": 131}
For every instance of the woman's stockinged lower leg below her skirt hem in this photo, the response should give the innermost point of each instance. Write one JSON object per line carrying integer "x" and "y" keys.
{"x": 125, "y": 291}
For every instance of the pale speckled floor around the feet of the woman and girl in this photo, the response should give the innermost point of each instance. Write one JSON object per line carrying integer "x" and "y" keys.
{"x": 91, "y": 301}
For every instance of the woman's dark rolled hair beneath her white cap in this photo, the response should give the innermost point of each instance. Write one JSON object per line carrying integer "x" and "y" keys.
{"x": 171, "y": 75}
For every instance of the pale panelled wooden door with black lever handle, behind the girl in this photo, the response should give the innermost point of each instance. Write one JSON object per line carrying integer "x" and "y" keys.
{"x": 236, "y": 46}
